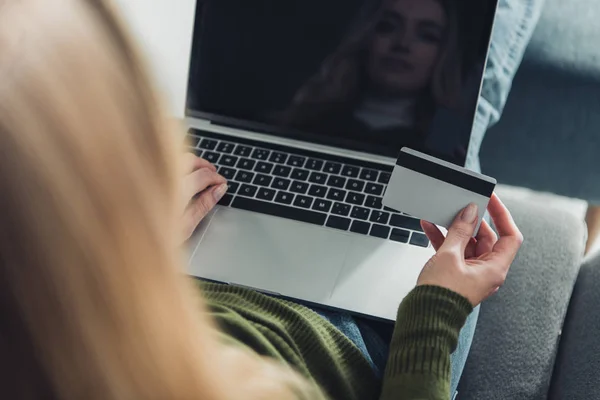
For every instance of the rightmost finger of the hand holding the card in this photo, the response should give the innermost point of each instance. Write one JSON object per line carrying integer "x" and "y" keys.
{"x": 511, "y": 237}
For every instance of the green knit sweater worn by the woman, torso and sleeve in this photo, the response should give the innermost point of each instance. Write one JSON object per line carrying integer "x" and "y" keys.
{"x": 428, "y": 323}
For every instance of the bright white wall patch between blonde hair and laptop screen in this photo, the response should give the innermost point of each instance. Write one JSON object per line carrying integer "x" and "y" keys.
{"x": 164, "y": 29}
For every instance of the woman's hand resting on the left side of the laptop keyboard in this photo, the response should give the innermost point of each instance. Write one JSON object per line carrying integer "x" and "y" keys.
{"x": 203, "y": 187}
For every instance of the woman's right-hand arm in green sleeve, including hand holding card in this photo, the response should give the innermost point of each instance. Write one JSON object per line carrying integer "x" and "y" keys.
{"x": 463, "y": 272}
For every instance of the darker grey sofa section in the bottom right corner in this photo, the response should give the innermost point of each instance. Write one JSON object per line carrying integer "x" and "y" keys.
{"x": 577, "y": 373}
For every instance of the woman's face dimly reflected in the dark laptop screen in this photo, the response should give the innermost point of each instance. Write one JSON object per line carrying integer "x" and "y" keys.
{"x": 406, "y": 45}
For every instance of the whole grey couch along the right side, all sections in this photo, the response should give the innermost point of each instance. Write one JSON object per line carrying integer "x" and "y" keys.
{"x": 548, "y": 140}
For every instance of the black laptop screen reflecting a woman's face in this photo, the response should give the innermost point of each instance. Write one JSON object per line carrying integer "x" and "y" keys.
{"x": 371, "y": 75}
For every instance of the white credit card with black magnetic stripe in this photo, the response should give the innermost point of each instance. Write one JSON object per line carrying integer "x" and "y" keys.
{"x": 434, "y": 190}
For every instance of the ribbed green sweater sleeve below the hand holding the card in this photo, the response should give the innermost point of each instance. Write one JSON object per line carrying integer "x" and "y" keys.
{"x": 427, "y": 327}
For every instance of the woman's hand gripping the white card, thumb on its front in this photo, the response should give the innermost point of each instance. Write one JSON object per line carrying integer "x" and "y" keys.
{"x": 473, "y": 268}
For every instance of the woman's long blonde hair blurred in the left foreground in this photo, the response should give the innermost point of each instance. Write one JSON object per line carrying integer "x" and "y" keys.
{"x": 94, "y": 302}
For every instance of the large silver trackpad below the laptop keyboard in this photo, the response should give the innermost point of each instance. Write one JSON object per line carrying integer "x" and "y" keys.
{"x": 269, "y": 253}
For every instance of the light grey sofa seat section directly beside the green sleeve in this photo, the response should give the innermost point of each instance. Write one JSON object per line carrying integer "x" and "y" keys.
{"x": 518, "y": 331}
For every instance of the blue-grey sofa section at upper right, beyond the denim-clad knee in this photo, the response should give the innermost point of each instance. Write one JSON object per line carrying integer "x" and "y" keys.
{"x": 549, "y": 135}
